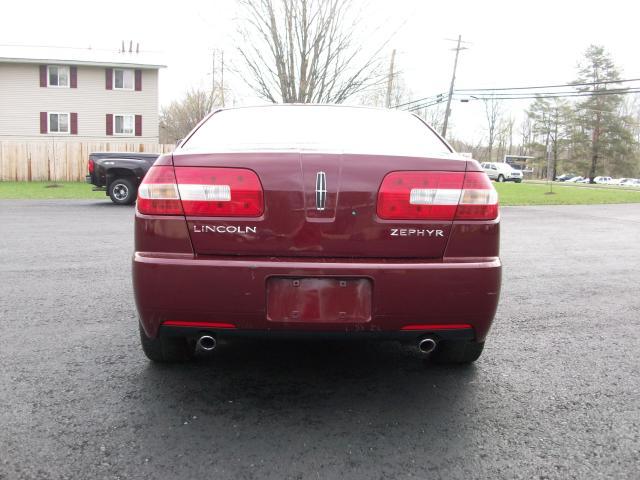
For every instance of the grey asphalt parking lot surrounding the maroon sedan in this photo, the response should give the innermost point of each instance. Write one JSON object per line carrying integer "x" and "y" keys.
{"x": 556, "y": 393}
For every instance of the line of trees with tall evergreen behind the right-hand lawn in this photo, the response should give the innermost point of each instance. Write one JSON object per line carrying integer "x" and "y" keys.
{"x": 596, "y": 132}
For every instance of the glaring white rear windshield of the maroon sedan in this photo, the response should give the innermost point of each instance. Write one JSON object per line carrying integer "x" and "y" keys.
{"x": 319, "y": 128}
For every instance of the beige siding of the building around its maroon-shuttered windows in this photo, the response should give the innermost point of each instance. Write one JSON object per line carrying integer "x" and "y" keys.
{"x": 22, "y": 99}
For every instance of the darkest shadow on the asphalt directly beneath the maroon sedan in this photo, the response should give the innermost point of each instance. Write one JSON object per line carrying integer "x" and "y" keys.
{"x": 311, "y": 376}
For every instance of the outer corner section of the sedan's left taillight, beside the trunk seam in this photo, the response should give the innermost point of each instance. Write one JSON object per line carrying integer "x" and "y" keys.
{"x": 158, "y": 193}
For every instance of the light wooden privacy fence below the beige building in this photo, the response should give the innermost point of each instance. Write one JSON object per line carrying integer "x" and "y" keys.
{"x": 59, "y": 161}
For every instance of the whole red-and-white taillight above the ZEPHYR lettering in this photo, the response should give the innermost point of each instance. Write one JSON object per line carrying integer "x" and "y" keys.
{"x": 418, "y": 195}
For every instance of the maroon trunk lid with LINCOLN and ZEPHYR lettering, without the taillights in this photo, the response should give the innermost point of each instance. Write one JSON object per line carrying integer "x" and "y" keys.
{"x": 318, "y": 205}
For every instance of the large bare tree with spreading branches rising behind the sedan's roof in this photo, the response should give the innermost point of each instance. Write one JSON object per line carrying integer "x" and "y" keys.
{"x": 305, "y": 51}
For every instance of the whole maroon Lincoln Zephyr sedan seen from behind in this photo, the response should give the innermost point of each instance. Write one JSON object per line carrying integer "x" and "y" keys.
{"x": 316, "y": 221}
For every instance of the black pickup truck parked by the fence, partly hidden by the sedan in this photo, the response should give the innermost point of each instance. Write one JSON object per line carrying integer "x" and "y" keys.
{"x": 119, "y": 173}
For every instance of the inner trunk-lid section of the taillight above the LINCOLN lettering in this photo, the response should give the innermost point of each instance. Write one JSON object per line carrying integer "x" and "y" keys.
{"x": 220, "y": 192}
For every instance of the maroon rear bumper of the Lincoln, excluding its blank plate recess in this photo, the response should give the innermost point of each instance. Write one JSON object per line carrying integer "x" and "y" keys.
{"x": 181, "y": 295}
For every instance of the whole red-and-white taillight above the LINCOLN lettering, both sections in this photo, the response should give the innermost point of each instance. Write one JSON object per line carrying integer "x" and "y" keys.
{"x": 201, "y": 191}
